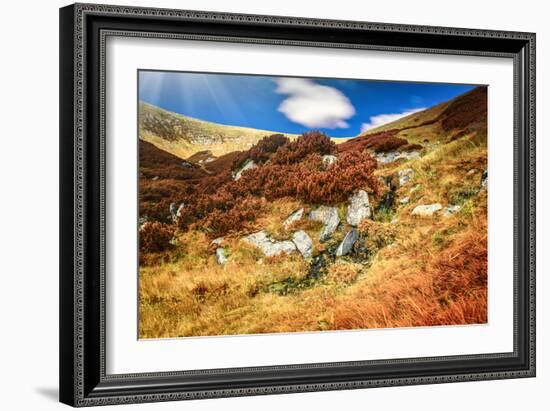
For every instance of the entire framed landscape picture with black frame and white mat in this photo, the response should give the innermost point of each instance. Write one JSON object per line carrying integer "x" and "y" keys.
{"x": 259, "y": 205}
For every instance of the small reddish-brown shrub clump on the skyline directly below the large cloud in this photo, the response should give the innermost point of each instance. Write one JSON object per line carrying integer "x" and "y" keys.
{"x": 308, "y": 143}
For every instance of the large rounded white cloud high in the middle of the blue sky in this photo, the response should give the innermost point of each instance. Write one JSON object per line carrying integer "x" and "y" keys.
{"x": 314, "y": 105}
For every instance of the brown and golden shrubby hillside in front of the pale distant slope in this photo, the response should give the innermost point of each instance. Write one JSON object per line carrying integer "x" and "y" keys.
{"x": 405, "y": 269}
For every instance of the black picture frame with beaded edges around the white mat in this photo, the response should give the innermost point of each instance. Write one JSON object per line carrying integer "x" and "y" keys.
{"x": 83, "y": 30}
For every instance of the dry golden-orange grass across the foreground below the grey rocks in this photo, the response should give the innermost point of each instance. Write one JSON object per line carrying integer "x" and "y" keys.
{"x": 434, "y": 273}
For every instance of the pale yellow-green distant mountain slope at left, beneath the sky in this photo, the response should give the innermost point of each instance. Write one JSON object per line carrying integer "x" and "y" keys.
{"x": 184, "y": 136}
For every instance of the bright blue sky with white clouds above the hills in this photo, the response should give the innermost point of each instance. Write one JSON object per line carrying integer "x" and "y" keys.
{"x": 340, "y": 108}
